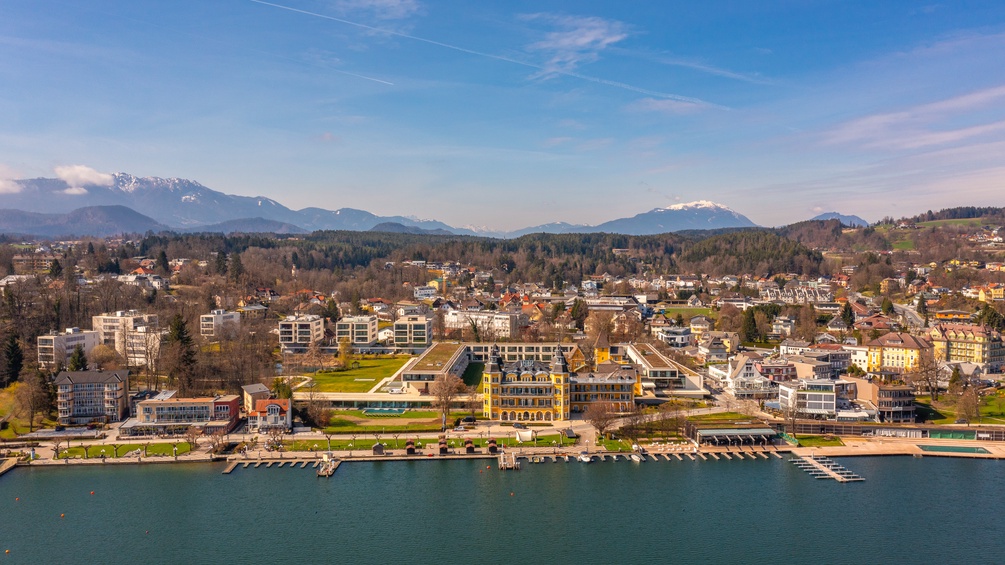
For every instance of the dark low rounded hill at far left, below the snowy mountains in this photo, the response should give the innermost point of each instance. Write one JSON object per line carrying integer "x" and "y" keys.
{"x": 101, "y": 222}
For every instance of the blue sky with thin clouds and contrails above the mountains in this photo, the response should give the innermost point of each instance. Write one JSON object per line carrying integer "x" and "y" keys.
{"x": 507, "y": 115}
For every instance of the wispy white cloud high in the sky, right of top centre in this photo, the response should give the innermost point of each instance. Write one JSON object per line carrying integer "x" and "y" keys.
{"x": 576, "y": 41}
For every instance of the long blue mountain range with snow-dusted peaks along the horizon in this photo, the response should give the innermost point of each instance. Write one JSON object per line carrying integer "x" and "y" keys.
{"x": 126, "y": 204}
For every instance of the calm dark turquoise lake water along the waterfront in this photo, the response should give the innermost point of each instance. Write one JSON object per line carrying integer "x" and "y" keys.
{"x": 930, "y": 510}
